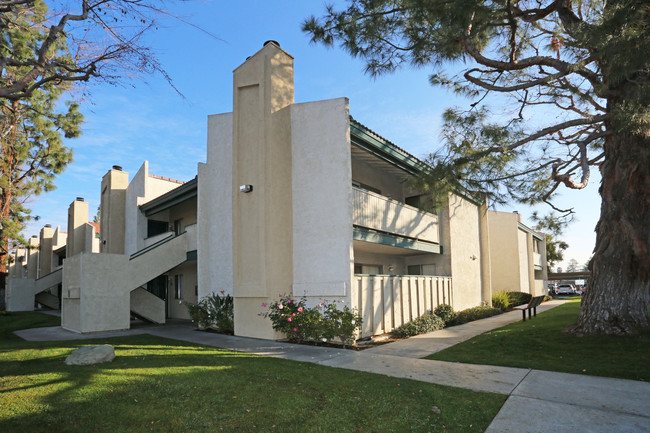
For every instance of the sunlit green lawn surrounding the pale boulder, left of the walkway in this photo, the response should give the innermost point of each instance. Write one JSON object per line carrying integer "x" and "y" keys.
{"x": 163, "y": 385}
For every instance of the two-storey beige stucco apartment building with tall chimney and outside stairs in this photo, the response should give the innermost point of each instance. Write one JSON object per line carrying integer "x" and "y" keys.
{"x": 293, "y": 198}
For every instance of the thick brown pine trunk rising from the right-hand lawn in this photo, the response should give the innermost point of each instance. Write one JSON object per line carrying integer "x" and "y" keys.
{"x": 618, "y": 294}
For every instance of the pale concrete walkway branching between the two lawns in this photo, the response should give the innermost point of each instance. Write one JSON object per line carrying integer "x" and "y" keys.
{"x": 538, "y": 401}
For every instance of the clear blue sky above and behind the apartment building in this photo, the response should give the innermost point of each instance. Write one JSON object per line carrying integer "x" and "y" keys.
{"x": 148, "y": 120}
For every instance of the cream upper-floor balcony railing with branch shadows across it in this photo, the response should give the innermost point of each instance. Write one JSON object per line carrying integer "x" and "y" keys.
{"x": 377, "y": 212}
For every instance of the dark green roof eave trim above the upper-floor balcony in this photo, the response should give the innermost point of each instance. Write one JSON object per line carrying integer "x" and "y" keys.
{"x": 368, "y": 140}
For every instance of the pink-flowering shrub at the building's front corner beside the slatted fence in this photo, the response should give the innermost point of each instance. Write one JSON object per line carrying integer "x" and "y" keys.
{"x": 321, "y": 323}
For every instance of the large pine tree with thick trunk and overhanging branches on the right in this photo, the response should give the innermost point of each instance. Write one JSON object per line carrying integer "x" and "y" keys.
{"x": 575, "y": 76}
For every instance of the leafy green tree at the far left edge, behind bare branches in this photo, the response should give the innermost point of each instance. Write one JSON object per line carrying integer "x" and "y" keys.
{"x": 33, "y": 121}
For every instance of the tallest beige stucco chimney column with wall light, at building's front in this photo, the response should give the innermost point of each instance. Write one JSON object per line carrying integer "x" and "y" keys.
{"x": 261, "y": 209}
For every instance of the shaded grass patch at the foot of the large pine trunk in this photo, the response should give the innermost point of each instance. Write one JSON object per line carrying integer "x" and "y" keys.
{"x": 540, "y": 344}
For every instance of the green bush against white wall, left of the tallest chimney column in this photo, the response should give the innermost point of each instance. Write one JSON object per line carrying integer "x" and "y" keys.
{"x": 213, "y": 311}
